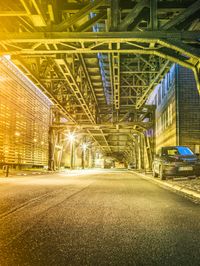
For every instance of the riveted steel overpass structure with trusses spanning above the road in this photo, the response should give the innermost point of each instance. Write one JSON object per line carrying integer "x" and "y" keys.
{"x": 98, "y": 61}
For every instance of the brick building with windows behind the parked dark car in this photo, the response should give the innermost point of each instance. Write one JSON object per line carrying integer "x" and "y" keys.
{"x": 177, "y": 114}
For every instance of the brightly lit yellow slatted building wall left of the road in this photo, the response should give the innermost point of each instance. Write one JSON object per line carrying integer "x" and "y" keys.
{"x": 24, "y": 119}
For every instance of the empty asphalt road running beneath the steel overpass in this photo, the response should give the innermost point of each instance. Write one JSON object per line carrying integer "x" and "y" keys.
{"x": 108, "y": 218}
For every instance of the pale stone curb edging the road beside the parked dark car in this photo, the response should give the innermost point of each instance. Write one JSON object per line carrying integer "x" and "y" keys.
{"x": 188, "y": 192}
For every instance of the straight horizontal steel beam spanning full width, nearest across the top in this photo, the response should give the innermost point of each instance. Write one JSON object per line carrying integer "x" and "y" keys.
{"x": 107, "y": 37}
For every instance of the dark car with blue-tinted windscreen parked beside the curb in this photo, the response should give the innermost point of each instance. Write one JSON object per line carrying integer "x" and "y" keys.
{"x": 175, "y": 161}
